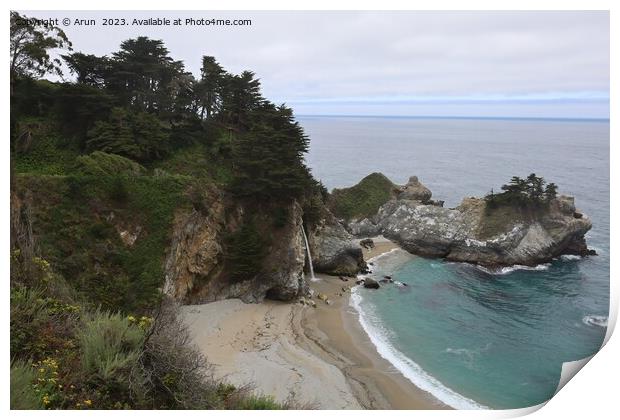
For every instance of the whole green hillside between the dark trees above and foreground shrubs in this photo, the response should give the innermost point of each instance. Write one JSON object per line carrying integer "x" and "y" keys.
{"x": 81, "y": 203}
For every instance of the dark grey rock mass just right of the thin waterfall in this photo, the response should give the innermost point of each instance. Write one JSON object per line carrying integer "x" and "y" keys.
{"x": 334, "y": 250}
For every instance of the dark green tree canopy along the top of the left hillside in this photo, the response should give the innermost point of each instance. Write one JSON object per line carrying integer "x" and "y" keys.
{"x": 141, "y": 103}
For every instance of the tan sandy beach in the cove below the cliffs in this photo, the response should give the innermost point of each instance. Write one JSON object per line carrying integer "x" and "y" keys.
{"x": 319, "y": 356}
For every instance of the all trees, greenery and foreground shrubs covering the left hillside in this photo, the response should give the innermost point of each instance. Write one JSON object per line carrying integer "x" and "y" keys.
{"x": 108, "y": 158}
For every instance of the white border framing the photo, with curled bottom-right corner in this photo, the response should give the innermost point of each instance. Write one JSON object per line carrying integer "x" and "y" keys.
{"x": 592, "y": 394}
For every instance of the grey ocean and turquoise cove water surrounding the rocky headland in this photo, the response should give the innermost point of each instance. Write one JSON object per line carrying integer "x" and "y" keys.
{"x": 472, "y": 337}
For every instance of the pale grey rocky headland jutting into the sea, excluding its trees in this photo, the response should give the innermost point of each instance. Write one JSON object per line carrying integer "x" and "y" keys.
{"x": 469, "y": 233}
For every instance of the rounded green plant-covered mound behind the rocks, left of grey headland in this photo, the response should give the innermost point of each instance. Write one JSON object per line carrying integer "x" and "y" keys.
{"x": 362, "y": 199}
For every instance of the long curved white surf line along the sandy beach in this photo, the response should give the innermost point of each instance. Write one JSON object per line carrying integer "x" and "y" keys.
{"x": 406, "y": 366}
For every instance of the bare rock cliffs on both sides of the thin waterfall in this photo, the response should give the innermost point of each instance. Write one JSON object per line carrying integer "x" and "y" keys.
{"x": 196, "y": 269}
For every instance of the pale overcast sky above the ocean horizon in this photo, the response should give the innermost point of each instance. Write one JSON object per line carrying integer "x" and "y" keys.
{"x": 532, "y": 64}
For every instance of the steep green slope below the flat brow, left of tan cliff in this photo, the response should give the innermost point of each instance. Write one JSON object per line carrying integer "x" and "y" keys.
{"x": 77, "y": 233}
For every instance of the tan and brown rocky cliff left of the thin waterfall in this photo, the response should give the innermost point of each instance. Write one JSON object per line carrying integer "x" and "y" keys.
{"x": 195, "y": 268}
